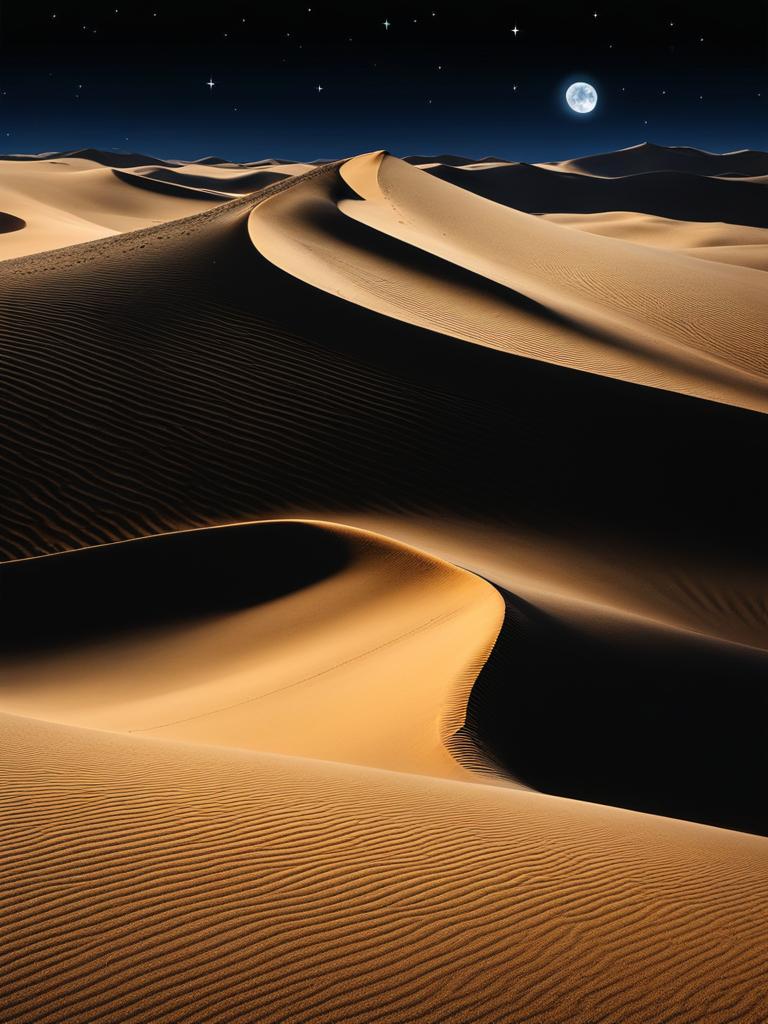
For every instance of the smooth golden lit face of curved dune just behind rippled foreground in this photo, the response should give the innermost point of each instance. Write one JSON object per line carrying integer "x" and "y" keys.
{"x": 373, "y": 665}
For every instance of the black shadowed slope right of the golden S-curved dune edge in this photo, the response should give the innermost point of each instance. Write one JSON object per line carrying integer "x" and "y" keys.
{"x": 571, "y": 696}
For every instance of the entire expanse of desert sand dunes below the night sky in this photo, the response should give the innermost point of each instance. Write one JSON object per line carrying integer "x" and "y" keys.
{"x": 385, "y": 578}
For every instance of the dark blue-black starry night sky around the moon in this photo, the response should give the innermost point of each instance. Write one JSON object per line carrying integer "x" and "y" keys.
{"x": 247, "y": 81}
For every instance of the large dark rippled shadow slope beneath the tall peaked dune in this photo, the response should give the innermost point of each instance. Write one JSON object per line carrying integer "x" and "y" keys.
{"x": 176, "y": 378}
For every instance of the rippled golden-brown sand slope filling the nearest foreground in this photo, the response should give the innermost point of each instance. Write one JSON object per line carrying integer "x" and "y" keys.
{"x": 164, "y": 882}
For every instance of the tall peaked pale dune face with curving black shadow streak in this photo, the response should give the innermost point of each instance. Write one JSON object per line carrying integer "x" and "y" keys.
{"x": 387, "y": 236}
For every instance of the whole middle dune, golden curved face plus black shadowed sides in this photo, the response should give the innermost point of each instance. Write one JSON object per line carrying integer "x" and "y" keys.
{"x": 314, "y": 639}
